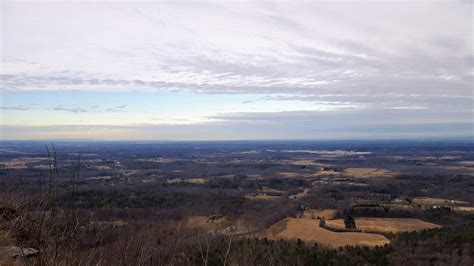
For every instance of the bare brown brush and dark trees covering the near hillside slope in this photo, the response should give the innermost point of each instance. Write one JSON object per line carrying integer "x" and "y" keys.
{"x": 67, "y": 236}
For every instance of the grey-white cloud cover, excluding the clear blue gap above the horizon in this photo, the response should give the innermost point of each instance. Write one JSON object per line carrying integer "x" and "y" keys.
{"x": 383, "y": 60}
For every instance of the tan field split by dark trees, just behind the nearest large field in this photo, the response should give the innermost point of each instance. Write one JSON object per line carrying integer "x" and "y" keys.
{"x": 393, "y": 225}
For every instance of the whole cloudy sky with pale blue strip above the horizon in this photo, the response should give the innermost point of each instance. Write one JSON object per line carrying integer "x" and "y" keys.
{"x": 236, "y": 70}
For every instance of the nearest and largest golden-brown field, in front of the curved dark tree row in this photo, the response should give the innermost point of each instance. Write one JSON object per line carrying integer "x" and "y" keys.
{"x": 309, "y": 230}
